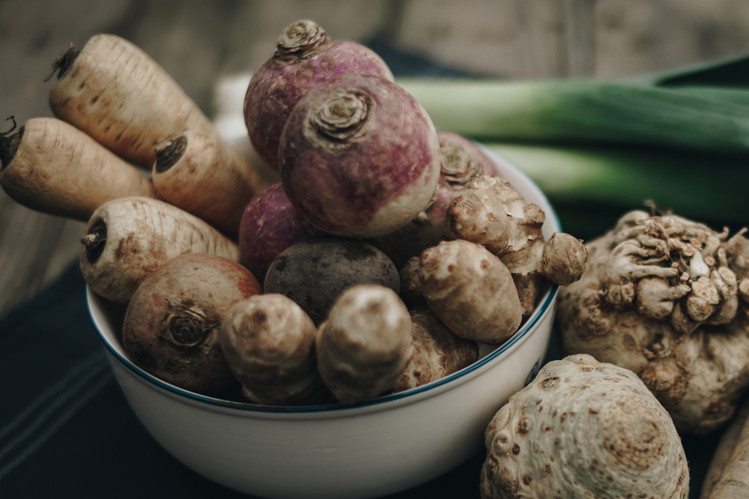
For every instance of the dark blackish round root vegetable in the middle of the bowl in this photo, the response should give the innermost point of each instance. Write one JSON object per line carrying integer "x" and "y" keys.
{"x": 314, "y": 273}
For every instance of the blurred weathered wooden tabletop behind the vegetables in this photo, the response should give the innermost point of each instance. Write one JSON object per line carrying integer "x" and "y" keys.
{"x": 199, "y": 43}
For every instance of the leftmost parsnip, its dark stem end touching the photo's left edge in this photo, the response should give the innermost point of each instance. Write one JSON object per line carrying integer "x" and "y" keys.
{"x": 52, "y": 167}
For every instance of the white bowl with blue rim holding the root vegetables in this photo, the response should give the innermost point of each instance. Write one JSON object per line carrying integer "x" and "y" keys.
{"x": 378, "y": 447}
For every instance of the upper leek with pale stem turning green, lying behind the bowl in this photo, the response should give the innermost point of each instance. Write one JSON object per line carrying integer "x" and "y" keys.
{"x": 582, "y": 111}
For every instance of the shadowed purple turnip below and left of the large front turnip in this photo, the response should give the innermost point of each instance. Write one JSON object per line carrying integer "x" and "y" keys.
{"x": 268, "y": 226}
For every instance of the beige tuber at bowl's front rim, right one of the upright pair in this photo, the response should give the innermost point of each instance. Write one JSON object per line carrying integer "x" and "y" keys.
{"x": 364, "y": 345}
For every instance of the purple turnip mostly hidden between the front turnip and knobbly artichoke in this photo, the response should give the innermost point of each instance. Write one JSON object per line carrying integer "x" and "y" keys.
{"x": 462, "y": 160}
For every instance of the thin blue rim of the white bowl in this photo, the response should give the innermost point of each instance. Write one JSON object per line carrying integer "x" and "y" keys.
{"x": 541, "y": 309}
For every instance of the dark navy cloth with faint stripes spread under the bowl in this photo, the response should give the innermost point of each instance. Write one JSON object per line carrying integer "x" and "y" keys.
{"x": 67, "y": 431}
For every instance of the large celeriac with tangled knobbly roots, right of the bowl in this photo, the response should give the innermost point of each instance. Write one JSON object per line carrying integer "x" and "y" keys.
{"x": 661, "y": 296}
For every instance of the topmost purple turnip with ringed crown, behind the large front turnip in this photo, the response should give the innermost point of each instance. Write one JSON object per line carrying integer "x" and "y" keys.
{"x": 304, "y": 57}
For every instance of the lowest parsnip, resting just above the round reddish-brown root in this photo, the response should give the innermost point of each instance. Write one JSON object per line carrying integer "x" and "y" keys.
{"x": 128, "y": 238}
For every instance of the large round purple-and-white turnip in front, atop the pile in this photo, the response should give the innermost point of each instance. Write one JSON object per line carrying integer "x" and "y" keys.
{"x": 359, "y": 156}
